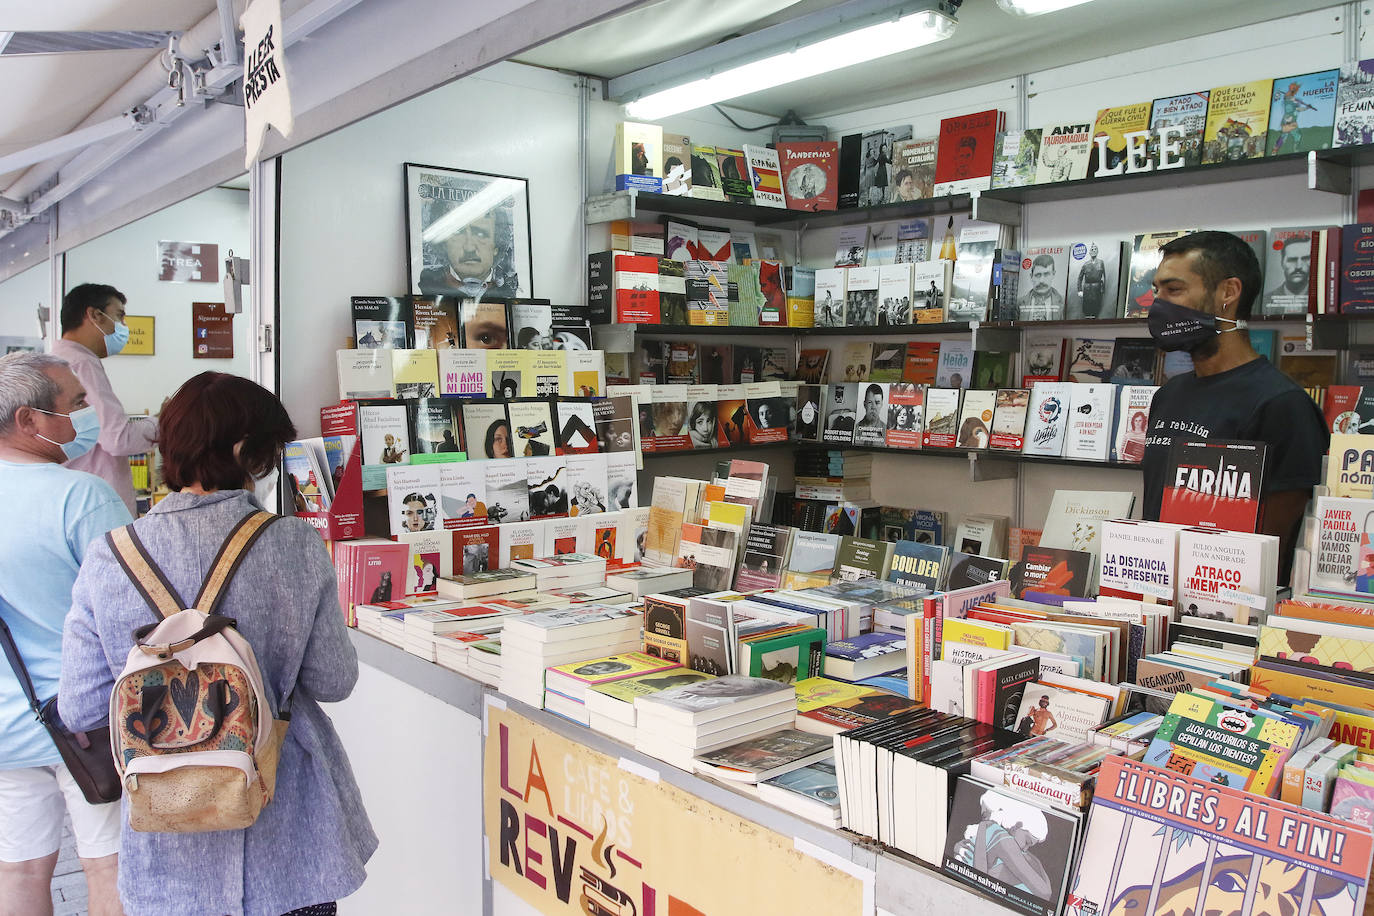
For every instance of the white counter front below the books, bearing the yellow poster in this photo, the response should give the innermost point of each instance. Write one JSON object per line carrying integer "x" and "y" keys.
{"x": 414, "y": 733}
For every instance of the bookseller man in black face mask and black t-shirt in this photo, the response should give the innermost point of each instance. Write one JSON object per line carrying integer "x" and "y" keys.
{"x": 1204, "y": 289}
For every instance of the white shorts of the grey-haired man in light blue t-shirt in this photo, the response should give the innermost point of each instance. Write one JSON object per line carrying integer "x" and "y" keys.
{"x": 32, "y": 803}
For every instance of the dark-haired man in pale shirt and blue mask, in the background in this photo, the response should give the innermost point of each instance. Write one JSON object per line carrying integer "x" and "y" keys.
{"x": 93, "y": 329}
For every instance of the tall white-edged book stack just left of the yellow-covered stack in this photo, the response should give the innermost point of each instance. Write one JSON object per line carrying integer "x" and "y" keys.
{"x": 549, "y": 639}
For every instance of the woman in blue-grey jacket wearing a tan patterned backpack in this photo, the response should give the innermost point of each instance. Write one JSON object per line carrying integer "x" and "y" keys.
{"x": 204, "y": 840}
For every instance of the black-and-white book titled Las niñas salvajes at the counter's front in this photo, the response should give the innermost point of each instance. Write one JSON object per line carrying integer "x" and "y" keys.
{"x": 984, "y": 823}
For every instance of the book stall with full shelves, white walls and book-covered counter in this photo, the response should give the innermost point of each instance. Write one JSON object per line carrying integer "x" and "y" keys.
{"x": 767, "y": 503}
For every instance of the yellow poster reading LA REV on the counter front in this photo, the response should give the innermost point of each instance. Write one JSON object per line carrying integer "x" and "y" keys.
{"x": 572, "y": 832}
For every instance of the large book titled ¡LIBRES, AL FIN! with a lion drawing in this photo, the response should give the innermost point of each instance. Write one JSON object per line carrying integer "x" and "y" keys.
{"x": 1141, "y": 848}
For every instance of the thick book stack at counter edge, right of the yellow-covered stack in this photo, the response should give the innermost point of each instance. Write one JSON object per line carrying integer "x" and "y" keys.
{"x": 678, "y": 724}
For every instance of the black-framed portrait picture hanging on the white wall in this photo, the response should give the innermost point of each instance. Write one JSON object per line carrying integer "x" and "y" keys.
{"x": 479, "y": 219}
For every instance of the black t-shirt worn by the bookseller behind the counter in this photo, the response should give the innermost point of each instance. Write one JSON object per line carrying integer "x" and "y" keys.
{"x": 1254, "y": 402}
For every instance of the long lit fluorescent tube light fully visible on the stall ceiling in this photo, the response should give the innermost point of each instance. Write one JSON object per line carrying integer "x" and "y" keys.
{"x": 813, "y": 60}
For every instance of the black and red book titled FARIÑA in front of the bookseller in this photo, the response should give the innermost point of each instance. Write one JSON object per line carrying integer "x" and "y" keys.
{"x": 1214, "y": 484}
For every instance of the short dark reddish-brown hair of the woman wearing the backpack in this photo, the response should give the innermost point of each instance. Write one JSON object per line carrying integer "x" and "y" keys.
{"x": 204, "y": 422}
